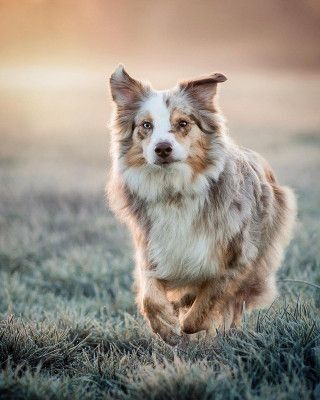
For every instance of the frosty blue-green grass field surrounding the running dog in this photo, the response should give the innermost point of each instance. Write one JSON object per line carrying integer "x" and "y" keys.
{"x": 69, "y": 327}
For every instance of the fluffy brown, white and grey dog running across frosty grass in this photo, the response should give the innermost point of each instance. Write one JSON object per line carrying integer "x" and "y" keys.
{"x": 208, "y": 218}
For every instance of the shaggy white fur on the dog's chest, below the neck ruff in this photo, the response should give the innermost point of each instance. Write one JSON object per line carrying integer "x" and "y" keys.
{"x": 179, "y": 248}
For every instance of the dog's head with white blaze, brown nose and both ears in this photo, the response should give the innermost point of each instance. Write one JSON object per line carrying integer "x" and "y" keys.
{"x": 164, "y": 128}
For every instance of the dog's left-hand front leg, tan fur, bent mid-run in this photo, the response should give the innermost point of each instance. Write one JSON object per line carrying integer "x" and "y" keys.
{"x": 158, "y": 310}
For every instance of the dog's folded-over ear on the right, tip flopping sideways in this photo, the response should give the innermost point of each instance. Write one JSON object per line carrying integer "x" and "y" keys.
{"x": 203, "y": 89}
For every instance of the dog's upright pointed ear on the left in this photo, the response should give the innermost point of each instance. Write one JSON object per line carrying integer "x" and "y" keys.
{"x": 125, "y": 90}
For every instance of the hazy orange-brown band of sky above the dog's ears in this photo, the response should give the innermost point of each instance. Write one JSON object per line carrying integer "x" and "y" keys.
{"x": 96, "y": 33}
